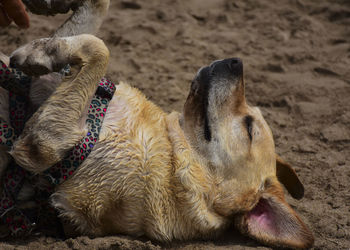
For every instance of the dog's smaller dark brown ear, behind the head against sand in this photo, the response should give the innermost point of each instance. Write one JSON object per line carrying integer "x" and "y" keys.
{"x": 287, "y": 176}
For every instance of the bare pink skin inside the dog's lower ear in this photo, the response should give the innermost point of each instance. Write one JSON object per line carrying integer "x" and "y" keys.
{"x": 262, "y": 217}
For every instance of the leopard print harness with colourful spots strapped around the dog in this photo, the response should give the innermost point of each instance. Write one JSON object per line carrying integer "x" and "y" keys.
{"x": 21, "y": 221}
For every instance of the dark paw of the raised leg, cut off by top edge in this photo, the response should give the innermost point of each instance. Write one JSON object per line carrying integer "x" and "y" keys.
{"x": 51, "y": 7}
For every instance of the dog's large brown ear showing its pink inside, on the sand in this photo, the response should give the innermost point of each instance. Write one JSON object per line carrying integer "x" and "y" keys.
{"x": 273, "y": 222}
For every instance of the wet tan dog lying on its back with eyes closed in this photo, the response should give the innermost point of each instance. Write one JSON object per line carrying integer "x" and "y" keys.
{"x": 165, "y": 176}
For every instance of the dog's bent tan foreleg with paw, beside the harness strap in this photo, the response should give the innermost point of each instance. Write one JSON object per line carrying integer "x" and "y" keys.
{"x": 54, "y": 128}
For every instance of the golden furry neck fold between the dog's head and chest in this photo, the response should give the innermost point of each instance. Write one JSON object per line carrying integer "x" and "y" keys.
{"x": 193, "y": 182}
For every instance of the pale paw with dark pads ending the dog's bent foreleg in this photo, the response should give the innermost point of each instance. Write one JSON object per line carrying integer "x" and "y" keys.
{"x": 37, "y": 58}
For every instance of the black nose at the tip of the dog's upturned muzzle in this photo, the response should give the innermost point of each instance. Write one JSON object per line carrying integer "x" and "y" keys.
{"x": 230, "y": 66}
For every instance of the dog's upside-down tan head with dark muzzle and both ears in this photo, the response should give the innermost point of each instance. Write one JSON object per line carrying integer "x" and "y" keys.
{"x": 236, "y": 145}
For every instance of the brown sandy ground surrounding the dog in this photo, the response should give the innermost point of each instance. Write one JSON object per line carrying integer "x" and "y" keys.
{"x": 297, "y": 57}
